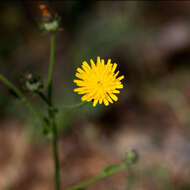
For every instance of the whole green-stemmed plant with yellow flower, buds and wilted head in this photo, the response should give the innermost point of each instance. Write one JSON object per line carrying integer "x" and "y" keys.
{"x": 97, "y": 82}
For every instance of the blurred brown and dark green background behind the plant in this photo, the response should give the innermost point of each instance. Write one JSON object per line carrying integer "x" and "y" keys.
{"x": 150, "y": 41}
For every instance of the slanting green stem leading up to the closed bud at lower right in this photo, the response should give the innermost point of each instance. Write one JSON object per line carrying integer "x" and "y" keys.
{"x": 102, "y": 175}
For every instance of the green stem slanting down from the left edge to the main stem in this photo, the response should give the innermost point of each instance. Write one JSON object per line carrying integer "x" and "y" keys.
{"x": 23, "y": 98}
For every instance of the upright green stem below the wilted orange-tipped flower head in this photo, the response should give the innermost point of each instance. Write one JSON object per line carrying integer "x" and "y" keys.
{"x": 51, "y": 65}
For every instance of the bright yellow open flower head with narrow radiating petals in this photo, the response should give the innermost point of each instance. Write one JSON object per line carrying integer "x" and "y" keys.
{"x": 98, "y": 83}
